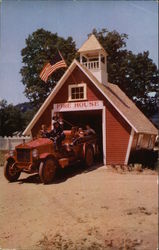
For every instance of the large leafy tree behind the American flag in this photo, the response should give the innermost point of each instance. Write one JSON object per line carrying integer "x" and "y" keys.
{"x": 40, "y": 48}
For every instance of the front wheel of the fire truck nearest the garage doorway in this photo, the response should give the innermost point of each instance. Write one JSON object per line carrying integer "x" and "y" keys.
{"x": 47, "y": 170}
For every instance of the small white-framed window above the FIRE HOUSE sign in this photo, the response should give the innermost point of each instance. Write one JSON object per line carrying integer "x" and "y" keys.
{"x": 77, "y": 92}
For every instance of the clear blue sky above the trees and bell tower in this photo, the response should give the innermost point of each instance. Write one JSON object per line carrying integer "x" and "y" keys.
{"x": 19, "y": 18}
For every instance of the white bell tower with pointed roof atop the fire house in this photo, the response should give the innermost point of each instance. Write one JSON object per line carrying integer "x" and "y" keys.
{"x": 94, "y": 58}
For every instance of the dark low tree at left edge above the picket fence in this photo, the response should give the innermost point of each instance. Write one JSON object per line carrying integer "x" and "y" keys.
{"x": 10, "y": 119}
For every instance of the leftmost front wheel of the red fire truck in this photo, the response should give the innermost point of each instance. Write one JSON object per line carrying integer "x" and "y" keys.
{"x": 10, "y": 171}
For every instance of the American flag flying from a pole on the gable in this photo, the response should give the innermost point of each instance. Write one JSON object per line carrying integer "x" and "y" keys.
{"x": 56, "y": 63}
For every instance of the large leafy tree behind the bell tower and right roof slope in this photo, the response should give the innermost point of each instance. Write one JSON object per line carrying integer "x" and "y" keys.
{"x": 137, "y": 75}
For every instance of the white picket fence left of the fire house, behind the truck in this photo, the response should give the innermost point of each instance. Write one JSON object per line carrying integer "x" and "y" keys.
{"x": 9, "y": 143}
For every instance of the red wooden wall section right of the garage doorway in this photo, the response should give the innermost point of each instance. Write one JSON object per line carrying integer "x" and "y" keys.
{"x": 117, "y": 136}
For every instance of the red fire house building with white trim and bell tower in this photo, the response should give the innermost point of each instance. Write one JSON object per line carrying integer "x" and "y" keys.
{"x": 84, "y": 96}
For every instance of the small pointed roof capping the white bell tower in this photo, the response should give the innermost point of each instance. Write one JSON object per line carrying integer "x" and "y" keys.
{"x": 91, "y": 44}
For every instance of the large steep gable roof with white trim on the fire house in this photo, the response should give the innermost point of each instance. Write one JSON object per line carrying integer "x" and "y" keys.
{"x": 127, "y": 109}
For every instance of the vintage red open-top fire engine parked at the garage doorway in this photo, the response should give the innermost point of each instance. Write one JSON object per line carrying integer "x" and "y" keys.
{"x": 39, "y": 156}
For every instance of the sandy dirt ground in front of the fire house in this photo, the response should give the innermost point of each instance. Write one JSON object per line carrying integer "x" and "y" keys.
{"x": 93, "y": 209}
